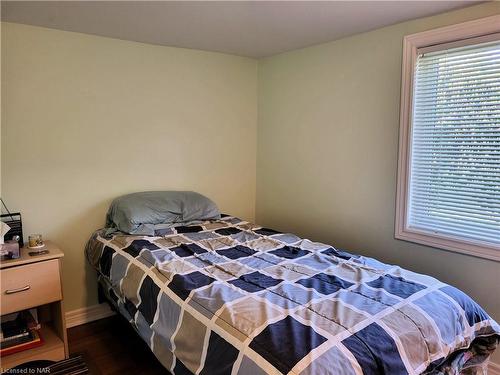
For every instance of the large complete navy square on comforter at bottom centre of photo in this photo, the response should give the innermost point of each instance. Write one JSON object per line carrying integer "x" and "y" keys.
{"x": 286, "y": 342}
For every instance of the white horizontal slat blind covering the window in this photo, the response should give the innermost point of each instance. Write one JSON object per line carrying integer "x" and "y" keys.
{"x": 454, "y": 187}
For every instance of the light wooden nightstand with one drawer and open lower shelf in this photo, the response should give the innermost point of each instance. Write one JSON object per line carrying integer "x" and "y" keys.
{"x": 35, "y": 282}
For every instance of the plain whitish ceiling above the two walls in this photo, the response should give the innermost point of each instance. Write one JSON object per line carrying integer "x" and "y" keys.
{"x": 246, "y": 28}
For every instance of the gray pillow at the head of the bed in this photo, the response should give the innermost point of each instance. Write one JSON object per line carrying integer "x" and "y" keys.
{"x": 138, "y": 213}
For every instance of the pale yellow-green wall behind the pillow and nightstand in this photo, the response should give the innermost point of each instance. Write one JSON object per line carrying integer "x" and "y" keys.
{"x": 88, "y": 118}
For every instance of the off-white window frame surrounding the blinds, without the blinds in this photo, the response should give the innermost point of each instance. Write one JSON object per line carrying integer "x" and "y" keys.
{"x": 458, "y": 35}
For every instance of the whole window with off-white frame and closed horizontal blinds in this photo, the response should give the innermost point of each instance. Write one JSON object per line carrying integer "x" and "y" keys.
{"x": 449, "y": 154}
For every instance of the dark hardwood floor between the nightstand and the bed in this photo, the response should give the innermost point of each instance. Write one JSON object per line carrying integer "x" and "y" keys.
{"x": 111, "y": 346}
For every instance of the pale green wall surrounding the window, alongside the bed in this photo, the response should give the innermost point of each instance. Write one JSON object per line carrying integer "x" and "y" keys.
{"x": 327, "y": 152}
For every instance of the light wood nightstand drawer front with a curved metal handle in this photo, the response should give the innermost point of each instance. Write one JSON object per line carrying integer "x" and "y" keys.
{"x": 30, "y": 285}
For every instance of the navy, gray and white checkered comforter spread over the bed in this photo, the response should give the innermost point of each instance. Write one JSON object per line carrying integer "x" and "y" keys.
{"x": 230, "y": 297}
